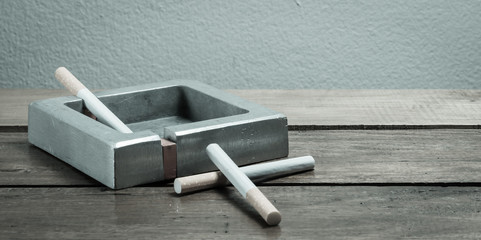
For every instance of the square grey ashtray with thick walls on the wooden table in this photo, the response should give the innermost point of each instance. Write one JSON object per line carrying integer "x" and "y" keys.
{"x": 173, "y": 122}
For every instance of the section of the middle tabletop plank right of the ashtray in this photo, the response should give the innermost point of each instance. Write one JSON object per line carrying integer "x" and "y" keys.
{"x": 408, "y": 156}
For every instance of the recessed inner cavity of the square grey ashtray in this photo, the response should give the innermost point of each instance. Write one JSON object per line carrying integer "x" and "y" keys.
{"x": 156, "y": 109}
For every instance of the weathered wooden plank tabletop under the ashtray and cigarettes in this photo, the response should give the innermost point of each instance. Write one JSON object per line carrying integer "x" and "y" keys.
{"x": 389, "y": 164}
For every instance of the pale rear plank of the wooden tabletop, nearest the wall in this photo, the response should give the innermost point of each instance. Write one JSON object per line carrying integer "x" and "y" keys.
{"x": 325, "y": 108}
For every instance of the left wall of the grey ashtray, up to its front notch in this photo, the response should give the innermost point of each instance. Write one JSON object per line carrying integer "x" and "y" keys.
{"x": 93, "y": 148}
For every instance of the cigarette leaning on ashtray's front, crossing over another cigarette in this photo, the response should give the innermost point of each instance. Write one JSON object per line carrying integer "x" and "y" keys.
{"x": 243, "y": 184}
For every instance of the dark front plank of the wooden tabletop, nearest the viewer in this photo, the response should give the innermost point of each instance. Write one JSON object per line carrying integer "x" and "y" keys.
{"x": 309, "y": 212}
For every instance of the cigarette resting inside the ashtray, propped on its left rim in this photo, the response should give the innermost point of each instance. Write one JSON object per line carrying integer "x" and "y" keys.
{"x": 91, "y": 101}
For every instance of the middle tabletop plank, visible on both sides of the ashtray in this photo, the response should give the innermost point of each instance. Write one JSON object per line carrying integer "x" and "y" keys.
{"x": 442, "y": 156}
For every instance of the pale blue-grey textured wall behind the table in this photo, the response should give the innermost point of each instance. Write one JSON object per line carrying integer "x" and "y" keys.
{"x": 243, "y": 44}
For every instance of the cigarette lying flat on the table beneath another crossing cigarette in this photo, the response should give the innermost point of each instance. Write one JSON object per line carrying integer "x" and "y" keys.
{"x": 255, "y": 172}
